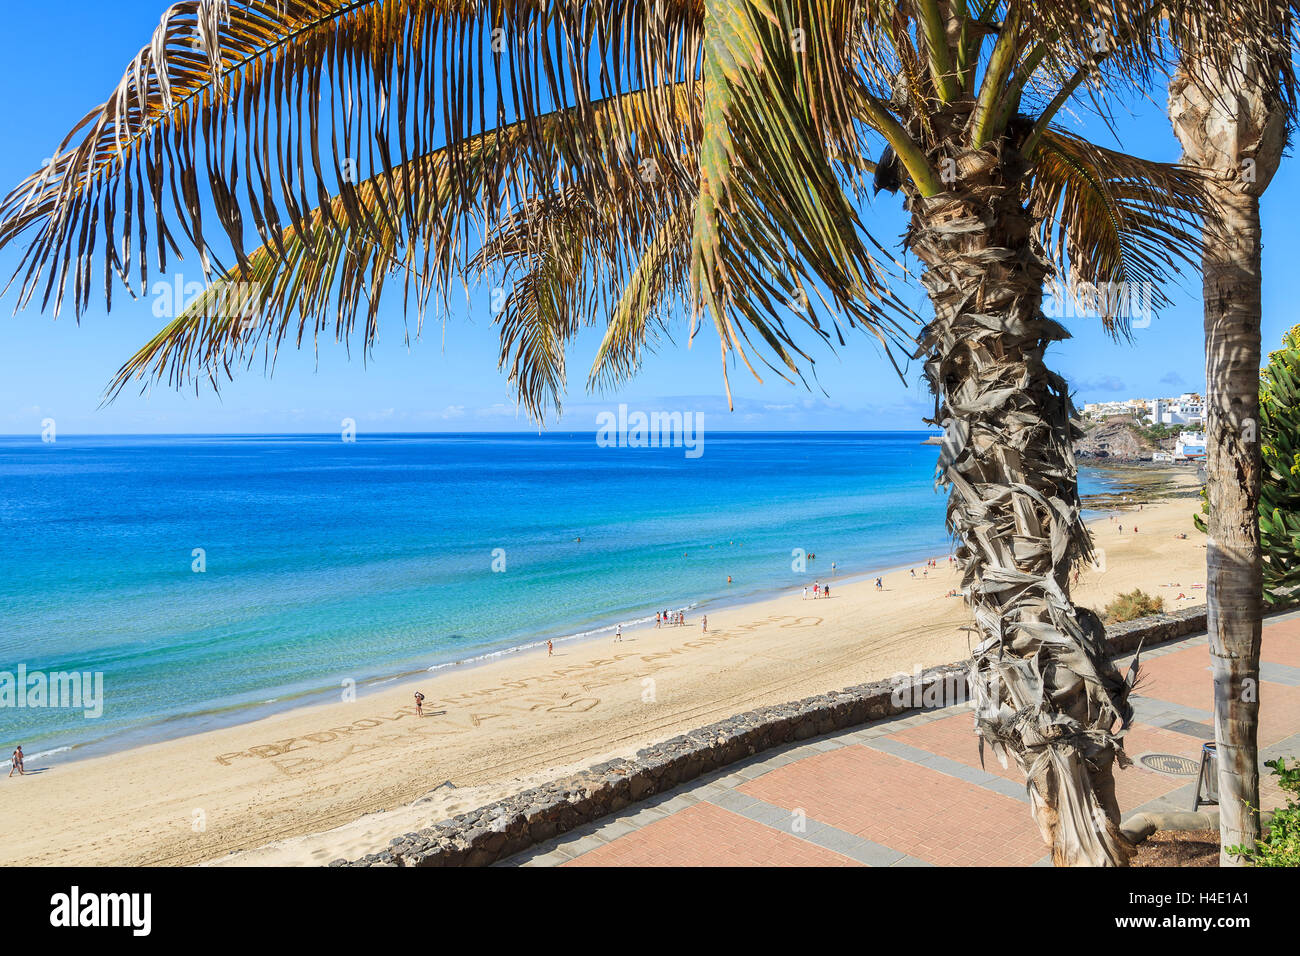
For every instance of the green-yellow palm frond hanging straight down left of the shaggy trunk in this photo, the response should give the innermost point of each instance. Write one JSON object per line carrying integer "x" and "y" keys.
{"x": 773, "y": 219}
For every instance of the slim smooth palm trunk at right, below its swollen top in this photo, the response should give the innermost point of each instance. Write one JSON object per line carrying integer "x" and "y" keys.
{"x": 1234, "y": 572}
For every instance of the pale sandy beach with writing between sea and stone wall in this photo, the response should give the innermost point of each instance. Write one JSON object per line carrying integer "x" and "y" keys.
{"x": 340, "y": 780}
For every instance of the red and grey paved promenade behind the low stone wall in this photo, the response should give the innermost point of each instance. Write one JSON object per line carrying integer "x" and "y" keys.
{"x": 911, "y": 791}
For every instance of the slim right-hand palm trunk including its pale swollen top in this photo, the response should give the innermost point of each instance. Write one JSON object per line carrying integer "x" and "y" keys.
{"x": 1234, "y": 133}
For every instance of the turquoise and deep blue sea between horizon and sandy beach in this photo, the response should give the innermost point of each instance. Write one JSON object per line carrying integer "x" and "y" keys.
{"x": 327, "y": 561}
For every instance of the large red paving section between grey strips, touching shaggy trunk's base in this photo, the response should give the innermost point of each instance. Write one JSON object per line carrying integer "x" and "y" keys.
{"x": 907, "y": 807}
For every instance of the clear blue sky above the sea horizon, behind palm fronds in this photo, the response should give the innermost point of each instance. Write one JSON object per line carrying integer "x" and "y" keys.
{"x": 59, "y": 60}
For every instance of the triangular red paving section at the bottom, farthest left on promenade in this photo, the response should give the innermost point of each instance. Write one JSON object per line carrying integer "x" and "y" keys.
{"x": 708, "y": 836}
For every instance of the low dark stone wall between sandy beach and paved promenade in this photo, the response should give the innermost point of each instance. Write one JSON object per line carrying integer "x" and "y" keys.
{"x": 499, "y": 830}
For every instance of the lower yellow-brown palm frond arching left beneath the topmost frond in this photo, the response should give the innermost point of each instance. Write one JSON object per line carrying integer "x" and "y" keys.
{"x": 331, "y": 270}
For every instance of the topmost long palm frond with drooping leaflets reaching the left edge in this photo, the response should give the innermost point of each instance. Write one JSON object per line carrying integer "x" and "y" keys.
{"x": 254, "y": 113}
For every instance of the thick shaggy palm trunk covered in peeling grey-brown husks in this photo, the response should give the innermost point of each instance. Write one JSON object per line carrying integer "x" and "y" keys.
{"x": 1045, "y": 689}
